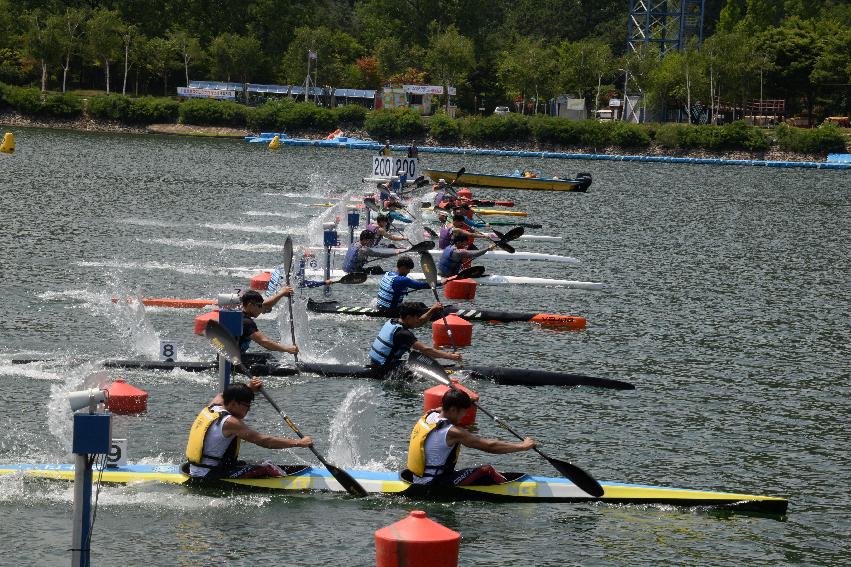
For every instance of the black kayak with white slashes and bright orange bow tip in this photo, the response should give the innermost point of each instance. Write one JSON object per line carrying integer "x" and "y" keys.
{"x": 545, "y": 319}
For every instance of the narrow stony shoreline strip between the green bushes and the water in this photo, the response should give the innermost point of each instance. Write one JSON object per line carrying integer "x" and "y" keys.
{"x": 85, "y": 124}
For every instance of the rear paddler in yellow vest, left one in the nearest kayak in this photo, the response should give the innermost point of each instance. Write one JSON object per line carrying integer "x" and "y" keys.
{"x": 213, "y": 446}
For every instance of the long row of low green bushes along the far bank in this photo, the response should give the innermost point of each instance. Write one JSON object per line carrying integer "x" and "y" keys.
{"x": 203, "y": 117}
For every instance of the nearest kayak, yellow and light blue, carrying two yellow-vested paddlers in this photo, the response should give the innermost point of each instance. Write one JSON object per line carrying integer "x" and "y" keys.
{"x": 520, "y": 487}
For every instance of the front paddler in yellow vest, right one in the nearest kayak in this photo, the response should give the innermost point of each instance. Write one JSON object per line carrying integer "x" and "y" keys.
{"x": 436, "y": 443}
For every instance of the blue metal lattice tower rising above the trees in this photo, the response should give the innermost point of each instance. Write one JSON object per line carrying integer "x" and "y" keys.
{"x": 668, "y": 24}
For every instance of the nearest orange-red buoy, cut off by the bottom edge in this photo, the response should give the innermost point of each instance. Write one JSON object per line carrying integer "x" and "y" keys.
{"x": 417, "y": 541}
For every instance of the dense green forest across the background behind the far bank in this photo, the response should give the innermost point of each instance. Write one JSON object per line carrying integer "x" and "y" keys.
{"x": 515, "y": 53}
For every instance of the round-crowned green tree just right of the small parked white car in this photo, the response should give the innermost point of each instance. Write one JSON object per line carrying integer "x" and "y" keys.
{"x": 527, "y": 67}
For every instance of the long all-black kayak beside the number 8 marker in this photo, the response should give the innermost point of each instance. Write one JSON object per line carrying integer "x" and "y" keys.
{"x": 262, "y": 365}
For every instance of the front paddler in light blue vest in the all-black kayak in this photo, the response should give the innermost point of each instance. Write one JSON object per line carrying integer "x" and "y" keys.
{"x": 395, "y": 338}
